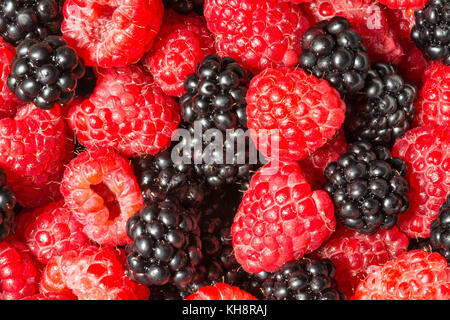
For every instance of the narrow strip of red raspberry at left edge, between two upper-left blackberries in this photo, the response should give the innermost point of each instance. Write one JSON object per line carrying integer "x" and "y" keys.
{"x": 8, "y": 101}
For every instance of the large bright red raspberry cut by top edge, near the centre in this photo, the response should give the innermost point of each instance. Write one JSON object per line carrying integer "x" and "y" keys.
{"x": 258, "y": 34}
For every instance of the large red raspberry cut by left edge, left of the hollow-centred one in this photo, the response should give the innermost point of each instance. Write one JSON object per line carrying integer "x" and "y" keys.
{"x": 34, "y": 148}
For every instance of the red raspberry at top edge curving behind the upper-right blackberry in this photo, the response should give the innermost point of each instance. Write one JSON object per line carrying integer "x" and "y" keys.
{"x": 367, "y": 18}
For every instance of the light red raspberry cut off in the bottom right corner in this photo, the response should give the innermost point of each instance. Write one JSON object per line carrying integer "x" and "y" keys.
{"x": 414, "y": 275}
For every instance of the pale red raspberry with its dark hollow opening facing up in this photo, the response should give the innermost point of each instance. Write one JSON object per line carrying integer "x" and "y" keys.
{"x": 100, "y": 188}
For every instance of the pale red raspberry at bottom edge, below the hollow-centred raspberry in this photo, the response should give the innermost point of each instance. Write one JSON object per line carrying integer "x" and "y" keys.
{"x": 91, "y": 273}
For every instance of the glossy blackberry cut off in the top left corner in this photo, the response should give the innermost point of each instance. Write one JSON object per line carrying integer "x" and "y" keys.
{"x": 30, "y": 19}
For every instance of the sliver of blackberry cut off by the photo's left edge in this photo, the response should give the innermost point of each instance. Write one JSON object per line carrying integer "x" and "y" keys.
{"x": 7, "y": 204}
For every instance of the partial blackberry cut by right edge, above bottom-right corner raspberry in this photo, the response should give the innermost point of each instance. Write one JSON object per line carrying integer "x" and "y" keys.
{"x": 440, "y": 231}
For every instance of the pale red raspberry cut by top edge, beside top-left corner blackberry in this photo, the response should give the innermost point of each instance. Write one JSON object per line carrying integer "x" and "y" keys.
{"x": 111, "y": 33}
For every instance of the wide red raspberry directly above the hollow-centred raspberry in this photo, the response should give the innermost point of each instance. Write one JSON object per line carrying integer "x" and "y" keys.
{"x": 127, "y": 111}
